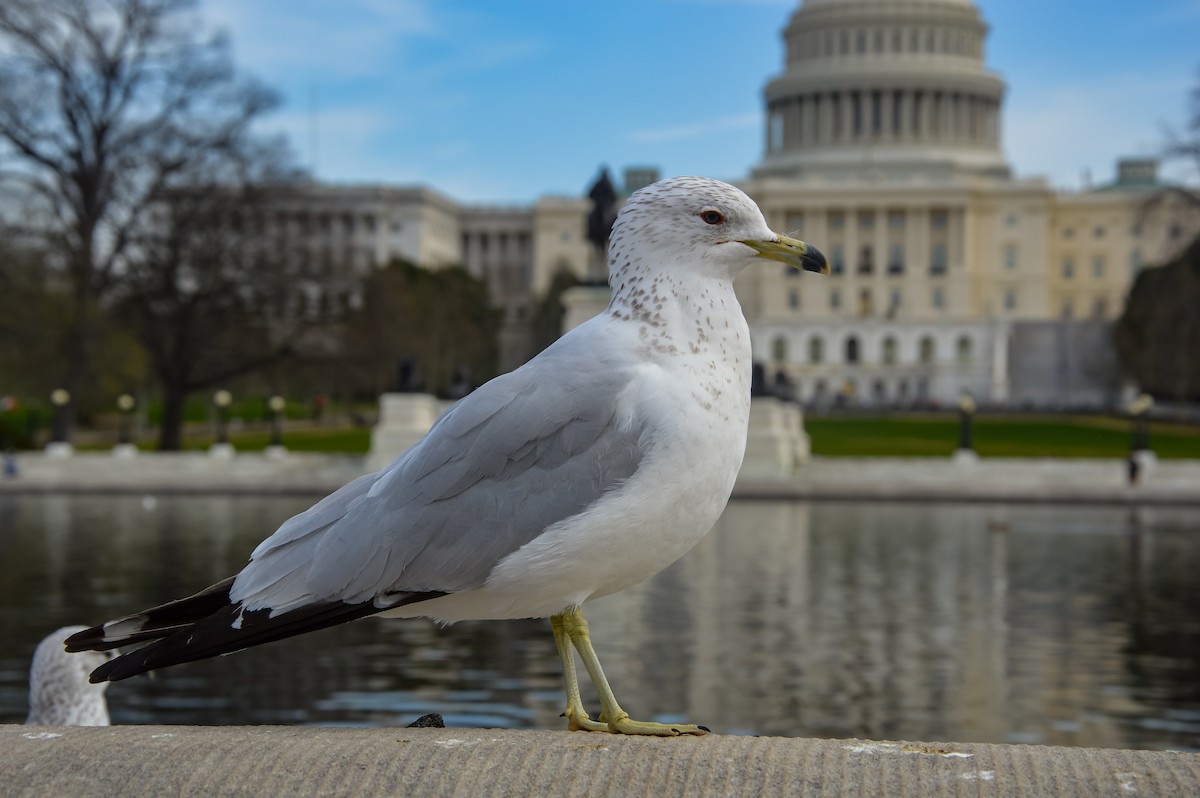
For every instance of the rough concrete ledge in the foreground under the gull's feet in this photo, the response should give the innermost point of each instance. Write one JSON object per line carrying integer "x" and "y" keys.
{"x": 310, "y": 761}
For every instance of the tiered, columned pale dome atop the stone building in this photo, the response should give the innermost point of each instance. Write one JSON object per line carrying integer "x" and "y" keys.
{"x": 892, "y": 87}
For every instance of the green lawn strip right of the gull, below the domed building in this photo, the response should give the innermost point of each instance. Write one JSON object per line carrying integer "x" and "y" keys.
{"x": 1022, "y": 436}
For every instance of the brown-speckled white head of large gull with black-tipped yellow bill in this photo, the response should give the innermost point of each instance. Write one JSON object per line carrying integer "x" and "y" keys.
{"x": 700, "y": 226}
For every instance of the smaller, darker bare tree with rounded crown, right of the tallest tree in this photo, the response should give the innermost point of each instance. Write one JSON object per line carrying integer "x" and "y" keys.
{"x": 208, "y": 287}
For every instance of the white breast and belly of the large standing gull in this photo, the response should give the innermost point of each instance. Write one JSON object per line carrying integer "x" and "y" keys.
{"x": 700, "y": 400}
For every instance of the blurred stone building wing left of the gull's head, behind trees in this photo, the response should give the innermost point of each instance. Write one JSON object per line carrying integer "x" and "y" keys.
{"x": 339, "y": 233}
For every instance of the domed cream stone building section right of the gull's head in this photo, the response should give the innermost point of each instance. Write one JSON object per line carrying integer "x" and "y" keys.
{"x": 883, "y": 148}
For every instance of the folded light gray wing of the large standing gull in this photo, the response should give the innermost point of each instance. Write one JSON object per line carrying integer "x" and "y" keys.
{"x": 518, "y": 455}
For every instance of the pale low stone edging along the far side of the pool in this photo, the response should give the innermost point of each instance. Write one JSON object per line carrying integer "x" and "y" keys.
{"x": 890, "y": 479}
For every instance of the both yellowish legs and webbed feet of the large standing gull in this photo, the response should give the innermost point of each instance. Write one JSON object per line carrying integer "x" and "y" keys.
{"x": 572, "y": 626}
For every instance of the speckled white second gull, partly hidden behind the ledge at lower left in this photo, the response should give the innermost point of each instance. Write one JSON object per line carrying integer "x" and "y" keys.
{"x": 59, "y": 692}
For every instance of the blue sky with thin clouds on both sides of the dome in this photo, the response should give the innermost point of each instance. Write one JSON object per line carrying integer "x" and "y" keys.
{"x": 507, "y": 101}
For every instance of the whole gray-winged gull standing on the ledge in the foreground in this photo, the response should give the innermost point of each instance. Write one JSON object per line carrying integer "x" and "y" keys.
{"x": 586, "y": 471}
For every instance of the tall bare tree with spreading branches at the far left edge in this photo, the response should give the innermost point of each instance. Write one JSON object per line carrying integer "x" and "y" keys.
{"x": 106, "y": 106}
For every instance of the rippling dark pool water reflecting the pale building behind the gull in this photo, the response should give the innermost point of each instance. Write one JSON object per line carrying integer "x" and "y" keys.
{"x": 1007, "y": 623}
